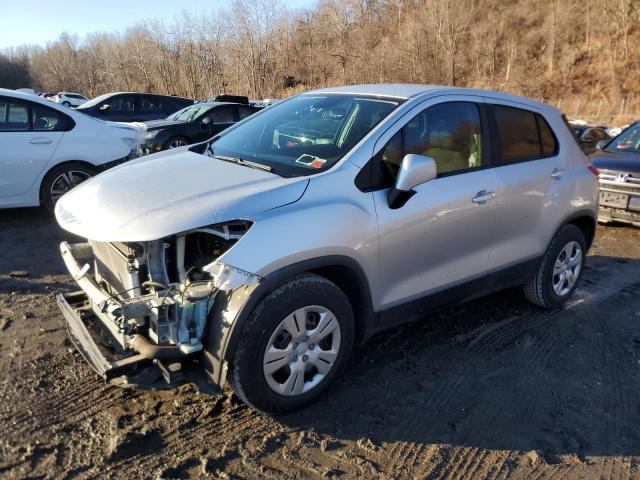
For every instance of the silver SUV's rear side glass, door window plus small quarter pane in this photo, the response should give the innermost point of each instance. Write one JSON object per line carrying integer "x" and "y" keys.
{"x": 522, "y": 135}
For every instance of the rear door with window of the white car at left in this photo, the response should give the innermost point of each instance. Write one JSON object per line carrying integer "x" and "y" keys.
{"x": 29, "y": 136}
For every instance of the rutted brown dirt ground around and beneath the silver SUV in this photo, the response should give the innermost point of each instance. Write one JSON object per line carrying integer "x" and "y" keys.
{"x": 493, "y": 389}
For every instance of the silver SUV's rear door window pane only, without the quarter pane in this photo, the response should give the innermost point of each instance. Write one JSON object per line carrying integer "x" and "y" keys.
{"x": 517, "y": 134}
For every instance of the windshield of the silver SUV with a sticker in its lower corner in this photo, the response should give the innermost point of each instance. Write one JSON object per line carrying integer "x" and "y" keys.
{"x": 306, "y": 134}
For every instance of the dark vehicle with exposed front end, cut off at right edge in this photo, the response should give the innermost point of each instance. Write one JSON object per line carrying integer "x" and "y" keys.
{"x": 619, "y": 164}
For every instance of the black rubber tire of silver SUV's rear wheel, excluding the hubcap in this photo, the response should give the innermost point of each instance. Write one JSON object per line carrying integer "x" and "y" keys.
{"x": 539, "y": 290}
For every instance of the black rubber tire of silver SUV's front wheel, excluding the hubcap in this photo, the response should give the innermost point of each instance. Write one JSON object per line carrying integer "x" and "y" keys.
{"x": 246, "y": 371}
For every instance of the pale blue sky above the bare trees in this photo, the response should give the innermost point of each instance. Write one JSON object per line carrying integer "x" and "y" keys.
{"x": 39, "y": 21}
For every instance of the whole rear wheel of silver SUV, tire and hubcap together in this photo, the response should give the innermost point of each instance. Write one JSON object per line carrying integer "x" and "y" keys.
{"x": 562, "y": 265}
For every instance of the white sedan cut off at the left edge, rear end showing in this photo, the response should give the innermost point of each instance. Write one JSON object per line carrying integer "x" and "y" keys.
{"x": 47, "y": 149}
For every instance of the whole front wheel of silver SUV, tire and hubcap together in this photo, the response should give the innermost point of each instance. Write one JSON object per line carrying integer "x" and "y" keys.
{"x": 295, "y": 342}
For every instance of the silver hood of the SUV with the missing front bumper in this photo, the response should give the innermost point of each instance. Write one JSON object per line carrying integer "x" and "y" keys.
{"x": 168, "y": 193}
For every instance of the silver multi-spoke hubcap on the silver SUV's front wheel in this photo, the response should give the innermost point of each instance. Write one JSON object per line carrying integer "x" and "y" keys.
{"x": 302, "y": 350}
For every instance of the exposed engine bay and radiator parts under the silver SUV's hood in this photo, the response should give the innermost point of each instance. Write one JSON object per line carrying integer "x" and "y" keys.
{"x": 157, "y": 294}
